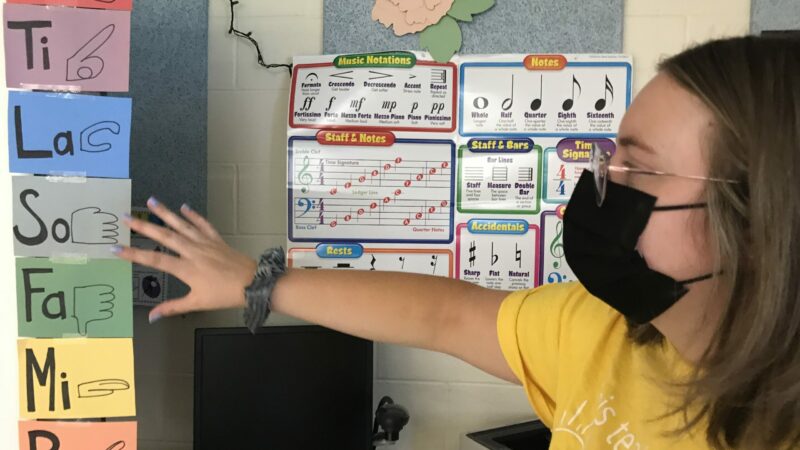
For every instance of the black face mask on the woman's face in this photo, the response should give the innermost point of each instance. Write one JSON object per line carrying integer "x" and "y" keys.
{"x": 600, "y": 247}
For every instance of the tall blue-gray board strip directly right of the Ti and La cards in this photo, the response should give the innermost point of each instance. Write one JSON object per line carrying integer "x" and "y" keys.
{"x": 169, "y": 82}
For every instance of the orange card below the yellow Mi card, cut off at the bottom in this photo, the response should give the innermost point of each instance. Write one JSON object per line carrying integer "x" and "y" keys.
{"x": 38, "y": 435}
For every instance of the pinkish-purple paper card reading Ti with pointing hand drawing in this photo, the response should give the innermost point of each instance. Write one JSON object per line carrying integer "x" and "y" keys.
{"x": 67, "y": 49}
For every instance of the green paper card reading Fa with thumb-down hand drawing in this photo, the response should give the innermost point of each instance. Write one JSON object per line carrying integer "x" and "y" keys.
{"x": 56, "y": 300}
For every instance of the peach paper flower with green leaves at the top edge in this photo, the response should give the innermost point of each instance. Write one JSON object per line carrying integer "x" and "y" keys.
{"x": 435, "y": 20}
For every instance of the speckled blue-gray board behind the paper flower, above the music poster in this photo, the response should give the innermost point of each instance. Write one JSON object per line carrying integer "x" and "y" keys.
{"x": 511, "y": 26}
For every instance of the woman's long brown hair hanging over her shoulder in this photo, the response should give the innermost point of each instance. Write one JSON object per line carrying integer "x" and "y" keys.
{"x": 747, "y": 384}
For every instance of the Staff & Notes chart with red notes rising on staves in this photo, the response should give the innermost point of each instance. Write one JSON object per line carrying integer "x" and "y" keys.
{"x": 403, "y": 192}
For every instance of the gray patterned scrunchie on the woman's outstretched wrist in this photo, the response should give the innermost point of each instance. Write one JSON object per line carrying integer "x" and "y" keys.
{"x": 258, "y": 301}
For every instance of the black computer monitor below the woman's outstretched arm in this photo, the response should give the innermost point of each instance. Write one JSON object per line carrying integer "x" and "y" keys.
{"x": 298, "y": 387}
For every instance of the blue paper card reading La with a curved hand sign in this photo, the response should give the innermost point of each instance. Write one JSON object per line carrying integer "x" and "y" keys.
{"x": 69, "y": 134}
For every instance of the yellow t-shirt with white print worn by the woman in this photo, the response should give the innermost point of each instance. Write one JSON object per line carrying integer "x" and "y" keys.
{"x": 587, "y": 381}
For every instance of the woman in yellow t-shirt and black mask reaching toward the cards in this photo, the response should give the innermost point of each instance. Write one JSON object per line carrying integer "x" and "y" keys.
{"x": 685, "y": 329}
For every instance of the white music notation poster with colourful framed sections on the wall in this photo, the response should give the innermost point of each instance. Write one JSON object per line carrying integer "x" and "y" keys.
{"x": 461, "y": 170}
